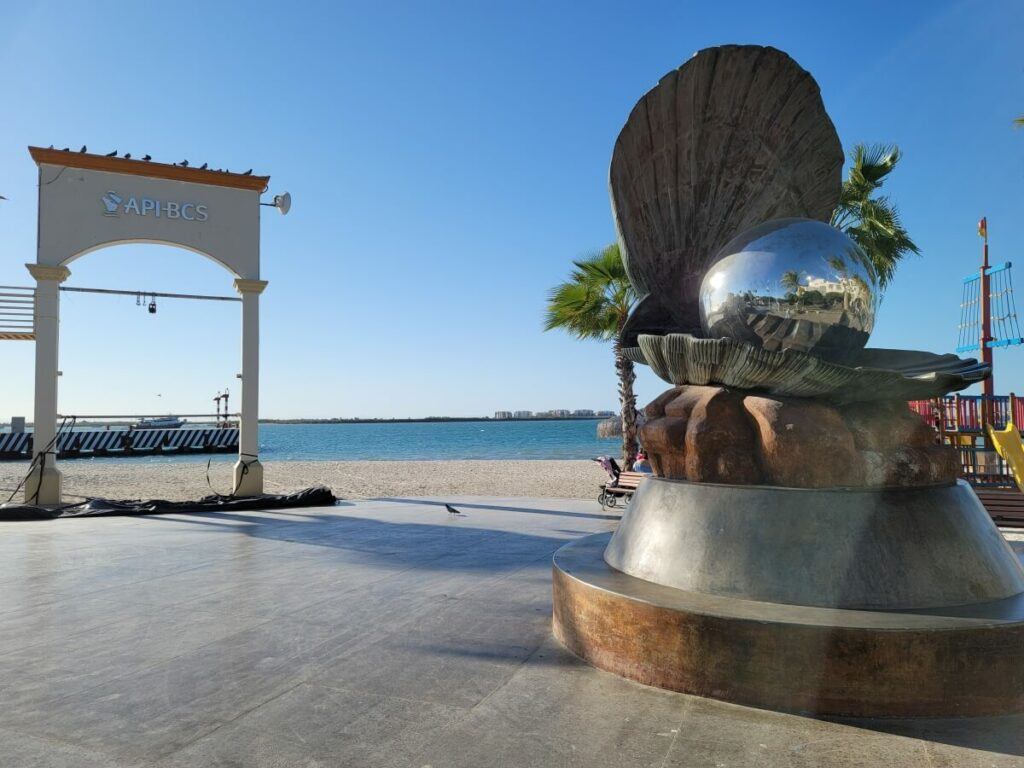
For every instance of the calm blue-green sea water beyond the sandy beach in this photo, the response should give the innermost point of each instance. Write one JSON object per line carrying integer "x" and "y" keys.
{"x": 475, "y": 440}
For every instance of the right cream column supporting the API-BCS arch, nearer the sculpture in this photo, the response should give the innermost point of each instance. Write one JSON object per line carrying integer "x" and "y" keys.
{"x": 248, "y": 471}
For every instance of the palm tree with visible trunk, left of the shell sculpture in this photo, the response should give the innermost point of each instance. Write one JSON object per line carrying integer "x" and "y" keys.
{"x": 594, "y": 305}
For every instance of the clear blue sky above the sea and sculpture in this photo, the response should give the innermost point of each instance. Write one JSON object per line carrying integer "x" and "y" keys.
{"x": 447, "y": 162}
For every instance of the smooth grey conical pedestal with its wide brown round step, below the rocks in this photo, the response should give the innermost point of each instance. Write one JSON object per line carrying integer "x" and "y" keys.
{"x": 865, "y": 604}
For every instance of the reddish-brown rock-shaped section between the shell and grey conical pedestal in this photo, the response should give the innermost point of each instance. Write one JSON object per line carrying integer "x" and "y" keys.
{"x": 716, "y": 435}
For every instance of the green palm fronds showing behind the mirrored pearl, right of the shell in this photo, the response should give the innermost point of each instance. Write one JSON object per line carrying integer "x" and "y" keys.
{"x": 872, "y": 221}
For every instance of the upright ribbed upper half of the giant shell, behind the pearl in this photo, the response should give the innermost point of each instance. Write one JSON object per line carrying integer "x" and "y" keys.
{"x": 736, "y": 137}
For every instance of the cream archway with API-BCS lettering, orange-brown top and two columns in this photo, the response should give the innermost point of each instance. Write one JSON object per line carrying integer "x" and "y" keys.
{"x": 89, "y": 202}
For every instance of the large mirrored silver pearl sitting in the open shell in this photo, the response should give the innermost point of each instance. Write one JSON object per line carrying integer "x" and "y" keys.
{"x": 792, "y": 284}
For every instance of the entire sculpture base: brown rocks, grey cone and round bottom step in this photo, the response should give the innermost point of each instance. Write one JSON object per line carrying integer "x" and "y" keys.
{"x": 800, "y": 556}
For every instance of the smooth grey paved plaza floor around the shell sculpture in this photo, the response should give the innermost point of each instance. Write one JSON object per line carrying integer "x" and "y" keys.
{"x": 376, "y": 633}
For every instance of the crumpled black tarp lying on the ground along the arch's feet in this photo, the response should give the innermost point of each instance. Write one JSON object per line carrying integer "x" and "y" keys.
{"x": 315, "y": 497}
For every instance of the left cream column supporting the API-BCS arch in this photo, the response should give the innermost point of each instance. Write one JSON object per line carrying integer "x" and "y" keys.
{"x": 44, "y": 485}
